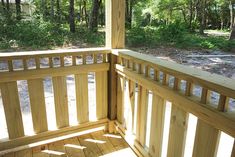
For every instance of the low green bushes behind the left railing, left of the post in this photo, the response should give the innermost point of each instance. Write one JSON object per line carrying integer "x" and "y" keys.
{"x": 38, "y": 33}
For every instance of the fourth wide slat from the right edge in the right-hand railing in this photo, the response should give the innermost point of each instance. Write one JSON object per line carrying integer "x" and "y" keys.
{"x": 143, "y": 115}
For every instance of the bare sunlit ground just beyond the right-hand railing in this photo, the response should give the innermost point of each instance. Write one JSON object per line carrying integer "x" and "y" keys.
{"x": 222, "y": 63}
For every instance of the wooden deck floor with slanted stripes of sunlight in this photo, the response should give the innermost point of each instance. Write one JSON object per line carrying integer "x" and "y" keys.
{"x": 89, "y": 145}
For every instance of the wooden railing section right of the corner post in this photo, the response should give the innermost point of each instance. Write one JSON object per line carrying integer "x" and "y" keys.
{"x": 140, "y": 75}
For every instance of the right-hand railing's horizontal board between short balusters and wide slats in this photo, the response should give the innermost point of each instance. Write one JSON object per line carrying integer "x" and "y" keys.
{"x": 219, "y": 120}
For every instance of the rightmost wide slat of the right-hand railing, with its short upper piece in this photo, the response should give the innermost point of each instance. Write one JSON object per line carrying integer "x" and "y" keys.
{"x": 207, "y": 137}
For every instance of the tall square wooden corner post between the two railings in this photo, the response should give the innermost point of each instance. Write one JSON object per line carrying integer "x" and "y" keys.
{"x": 115, "y": 39}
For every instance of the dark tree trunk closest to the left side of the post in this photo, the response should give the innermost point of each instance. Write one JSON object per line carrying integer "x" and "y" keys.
{"x": 93, "y": 22}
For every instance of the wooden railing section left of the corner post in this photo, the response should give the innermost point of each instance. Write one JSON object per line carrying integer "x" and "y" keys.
{"x": 34, "y": 67}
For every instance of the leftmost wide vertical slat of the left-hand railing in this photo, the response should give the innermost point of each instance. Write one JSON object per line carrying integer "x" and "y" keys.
{"x": 12, "y": 110}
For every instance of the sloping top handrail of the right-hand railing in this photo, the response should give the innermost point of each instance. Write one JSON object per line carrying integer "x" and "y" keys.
{"x": 214, "y": 82}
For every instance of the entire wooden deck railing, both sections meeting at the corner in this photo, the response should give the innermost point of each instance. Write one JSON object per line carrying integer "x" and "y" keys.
{"x": 138, "y": 77}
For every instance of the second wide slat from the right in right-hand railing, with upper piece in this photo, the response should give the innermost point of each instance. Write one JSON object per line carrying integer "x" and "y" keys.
{"x": 178, "y": 128}
